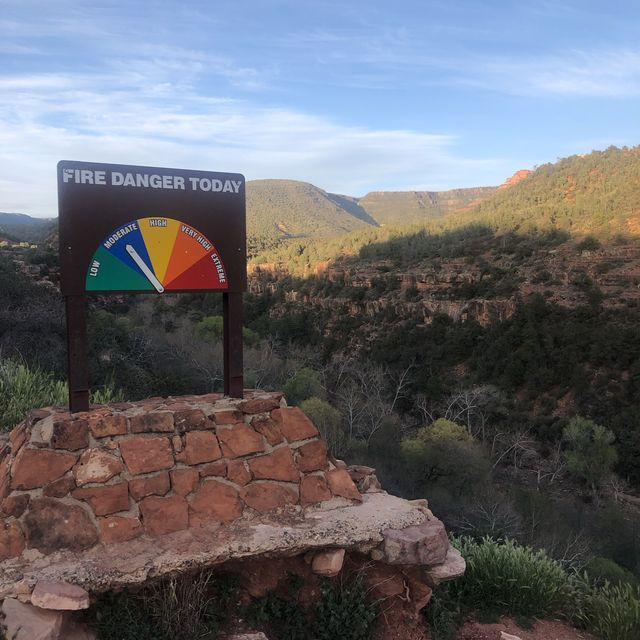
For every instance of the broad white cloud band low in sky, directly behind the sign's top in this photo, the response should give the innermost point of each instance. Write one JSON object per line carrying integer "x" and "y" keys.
{"x": 46, "y": 118}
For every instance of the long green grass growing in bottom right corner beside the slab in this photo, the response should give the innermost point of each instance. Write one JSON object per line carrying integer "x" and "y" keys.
{"x": 503, "y": 578}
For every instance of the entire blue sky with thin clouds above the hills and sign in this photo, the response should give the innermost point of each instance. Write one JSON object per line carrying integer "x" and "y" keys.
{"x": 351, "y": 96}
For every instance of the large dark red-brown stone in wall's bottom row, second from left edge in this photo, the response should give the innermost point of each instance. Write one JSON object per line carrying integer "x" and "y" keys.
{"x": 50, "y": 526}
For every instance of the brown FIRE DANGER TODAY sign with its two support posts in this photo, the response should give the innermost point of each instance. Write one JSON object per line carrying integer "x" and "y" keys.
{"x": 129, "y": 229}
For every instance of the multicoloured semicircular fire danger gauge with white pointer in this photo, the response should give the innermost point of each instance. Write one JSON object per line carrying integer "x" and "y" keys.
{"x": 155, "y": 254}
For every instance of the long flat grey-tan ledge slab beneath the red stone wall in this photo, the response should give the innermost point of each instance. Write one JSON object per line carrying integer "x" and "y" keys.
{"x": 100, "y": 569}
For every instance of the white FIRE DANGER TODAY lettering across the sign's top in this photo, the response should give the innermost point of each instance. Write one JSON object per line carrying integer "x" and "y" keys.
{"x": 139, "y": 180}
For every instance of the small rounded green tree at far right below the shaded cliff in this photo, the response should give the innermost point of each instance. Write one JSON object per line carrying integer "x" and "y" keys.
{"x": 590, "y": 452}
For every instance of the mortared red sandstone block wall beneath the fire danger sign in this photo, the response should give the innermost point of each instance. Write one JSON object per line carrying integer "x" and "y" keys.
{"x": 118, "y": 472}
